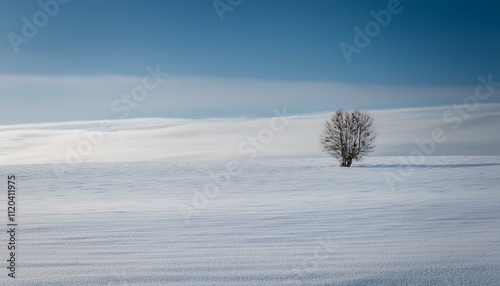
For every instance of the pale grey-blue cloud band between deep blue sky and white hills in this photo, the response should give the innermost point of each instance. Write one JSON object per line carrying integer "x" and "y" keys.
{"x": 25, "y": 99}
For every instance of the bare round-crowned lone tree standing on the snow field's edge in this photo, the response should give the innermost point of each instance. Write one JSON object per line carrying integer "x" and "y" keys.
{"x": 349, "y": 135}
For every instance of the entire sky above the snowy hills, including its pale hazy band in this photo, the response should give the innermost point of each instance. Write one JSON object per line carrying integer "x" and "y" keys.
{"x": 263, "y": 55}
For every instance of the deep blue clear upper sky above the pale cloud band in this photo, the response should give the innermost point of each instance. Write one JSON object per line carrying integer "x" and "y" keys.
{"x": 429, "y": 43}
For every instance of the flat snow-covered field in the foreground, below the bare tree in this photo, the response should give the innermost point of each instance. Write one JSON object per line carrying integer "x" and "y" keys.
{"x": 276, "y": 222}
